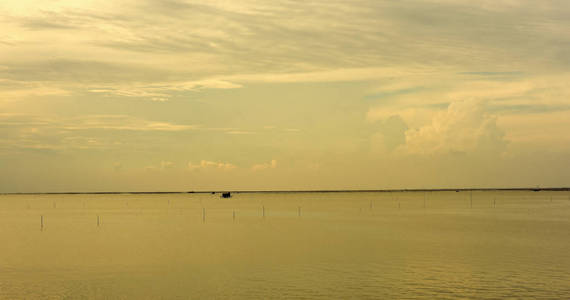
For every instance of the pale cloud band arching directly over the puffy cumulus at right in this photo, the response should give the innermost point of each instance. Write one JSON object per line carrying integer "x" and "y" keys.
{"x": 520, "y": 94}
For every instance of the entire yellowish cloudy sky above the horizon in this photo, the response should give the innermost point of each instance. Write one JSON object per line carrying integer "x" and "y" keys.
{"x": 180, "y": 95}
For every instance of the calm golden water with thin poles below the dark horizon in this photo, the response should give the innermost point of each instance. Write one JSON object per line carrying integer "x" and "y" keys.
{"x": 343, "y": 245}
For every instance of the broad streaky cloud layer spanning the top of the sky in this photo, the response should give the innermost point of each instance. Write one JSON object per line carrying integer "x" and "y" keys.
{"x": 220, "y": 44}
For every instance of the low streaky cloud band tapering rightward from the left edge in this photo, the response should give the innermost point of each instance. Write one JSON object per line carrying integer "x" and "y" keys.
{"x": 29, "y": 131}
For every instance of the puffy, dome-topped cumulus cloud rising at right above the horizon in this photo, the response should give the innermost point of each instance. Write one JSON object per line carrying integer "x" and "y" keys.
{"x": 464, "y": 127}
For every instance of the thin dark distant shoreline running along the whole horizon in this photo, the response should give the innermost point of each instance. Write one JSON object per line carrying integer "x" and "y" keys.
{"x": 552, "y": 189}
